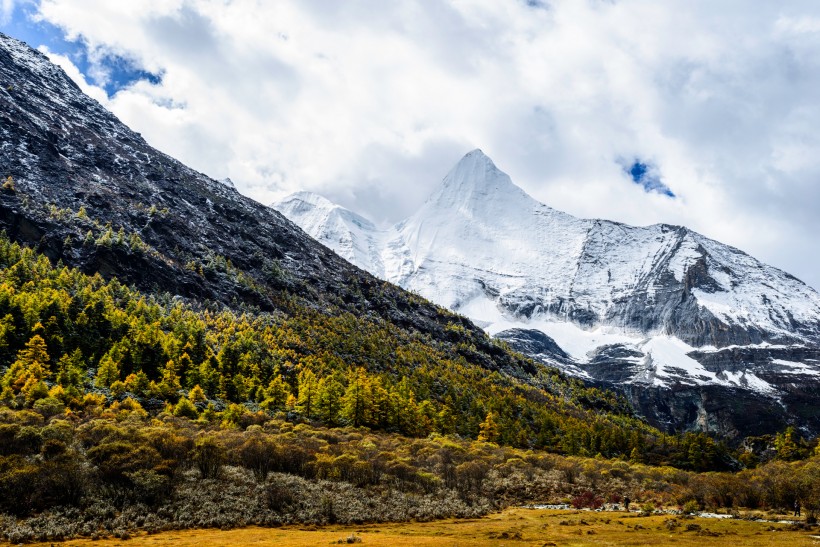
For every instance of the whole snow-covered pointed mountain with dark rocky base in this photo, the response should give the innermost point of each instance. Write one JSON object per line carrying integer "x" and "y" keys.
{"x": 698, "y": 334}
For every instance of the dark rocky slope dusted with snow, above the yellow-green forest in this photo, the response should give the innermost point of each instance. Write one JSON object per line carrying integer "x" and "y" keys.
{"x": 82, "y": 188}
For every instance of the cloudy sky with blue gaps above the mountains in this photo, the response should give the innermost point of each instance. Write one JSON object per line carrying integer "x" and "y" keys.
{"x": 692, "y": 112}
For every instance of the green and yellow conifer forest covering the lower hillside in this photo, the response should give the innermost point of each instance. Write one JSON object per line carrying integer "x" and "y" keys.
{"x": 65, "y": 335}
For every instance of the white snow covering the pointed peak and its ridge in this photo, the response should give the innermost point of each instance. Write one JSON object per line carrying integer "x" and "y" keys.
{"x": 483, "y": 247}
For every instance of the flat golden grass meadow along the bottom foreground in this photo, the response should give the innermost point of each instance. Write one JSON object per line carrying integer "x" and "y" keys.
{"x": 513, "y": 527}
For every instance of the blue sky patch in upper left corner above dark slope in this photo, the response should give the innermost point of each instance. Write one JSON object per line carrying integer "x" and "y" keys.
{"x": 110, "y": 72}
